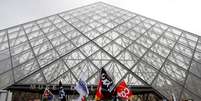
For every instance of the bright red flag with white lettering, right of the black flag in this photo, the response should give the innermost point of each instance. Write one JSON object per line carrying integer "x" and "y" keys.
{"x": 122, "y": 91}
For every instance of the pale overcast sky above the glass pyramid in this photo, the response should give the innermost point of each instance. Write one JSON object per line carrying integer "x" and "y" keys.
{"x": 184, "y": 14}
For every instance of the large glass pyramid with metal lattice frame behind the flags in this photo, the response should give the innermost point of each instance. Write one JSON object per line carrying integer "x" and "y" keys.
{"x": 131, "y": 47}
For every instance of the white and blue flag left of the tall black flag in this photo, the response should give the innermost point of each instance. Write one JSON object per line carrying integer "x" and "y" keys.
{"x": 82, "y": 89}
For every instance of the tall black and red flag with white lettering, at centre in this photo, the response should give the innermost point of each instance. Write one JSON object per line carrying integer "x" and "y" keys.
{"x": 105, "y": 86}
